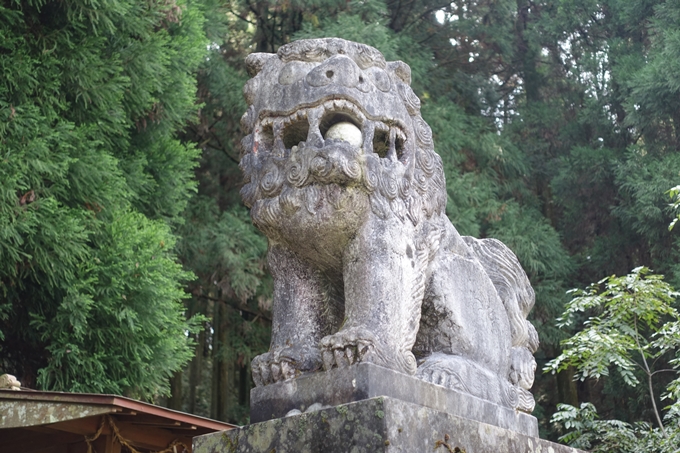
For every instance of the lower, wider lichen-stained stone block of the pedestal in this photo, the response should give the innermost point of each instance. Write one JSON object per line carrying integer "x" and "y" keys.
{"x": 374, "y": 425}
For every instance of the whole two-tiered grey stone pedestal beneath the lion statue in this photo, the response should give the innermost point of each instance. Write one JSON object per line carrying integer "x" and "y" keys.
{"x": 366, "y": 408}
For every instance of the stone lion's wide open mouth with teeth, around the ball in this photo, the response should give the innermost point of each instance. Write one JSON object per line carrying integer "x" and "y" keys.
{"x": 311, "y": 125}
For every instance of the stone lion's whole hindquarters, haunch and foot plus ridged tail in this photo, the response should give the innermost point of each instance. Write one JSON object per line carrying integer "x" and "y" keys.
{"x": 473, "y": 334}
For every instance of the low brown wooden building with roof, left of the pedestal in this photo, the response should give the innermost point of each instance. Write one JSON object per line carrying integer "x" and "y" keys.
{"x": 45, "y": 422}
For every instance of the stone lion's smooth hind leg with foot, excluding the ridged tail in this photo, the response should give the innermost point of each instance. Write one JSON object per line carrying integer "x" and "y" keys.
{"x": 464, "y": 340}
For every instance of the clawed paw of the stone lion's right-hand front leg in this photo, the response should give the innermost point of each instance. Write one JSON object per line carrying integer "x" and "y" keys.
{"x": 347, "y": 347}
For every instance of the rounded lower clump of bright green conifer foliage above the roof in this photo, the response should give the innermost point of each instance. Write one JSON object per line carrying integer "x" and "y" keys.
{"x": 115, "y": 331}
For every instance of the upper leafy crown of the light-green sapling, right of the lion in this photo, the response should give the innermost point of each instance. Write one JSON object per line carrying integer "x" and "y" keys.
{"x": 628, "y": 313}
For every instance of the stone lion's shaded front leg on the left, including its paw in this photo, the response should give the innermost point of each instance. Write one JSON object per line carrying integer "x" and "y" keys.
{"x": 303, "y": 313}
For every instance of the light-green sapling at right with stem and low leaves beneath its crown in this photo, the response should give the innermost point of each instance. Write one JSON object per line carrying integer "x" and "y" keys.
{"x": 631, "y": 326}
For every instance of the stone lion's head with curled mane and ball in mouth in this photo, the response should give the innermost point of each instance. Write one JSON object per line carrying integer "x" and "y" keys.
{"x": 328, "y": 113}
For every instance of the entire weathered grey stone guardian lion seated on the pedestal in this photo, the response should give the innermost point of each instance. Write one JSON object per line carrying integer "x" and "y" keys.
{"x": 341, "y": 175}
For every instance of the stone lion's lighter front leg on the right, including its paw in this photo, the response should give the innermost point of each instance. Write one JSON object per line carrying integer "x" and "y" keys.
{"x": 382, "y": 301}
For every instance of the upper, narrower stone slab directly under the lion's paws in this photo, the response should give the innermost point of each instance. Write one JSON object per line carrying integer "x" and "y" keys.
{"x": 366, "y": 380}
